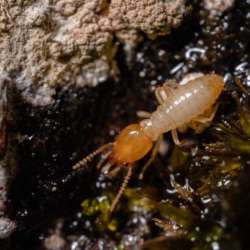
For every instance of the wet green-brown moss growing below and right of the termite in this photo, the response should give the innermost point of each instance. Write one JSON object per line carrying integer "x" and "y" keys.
{"x": 209, "y": 171}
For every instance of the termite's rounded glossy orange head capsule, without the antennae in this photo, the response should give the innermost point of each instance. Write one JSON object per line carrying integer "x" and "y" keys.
{"x": 131, "y": 145}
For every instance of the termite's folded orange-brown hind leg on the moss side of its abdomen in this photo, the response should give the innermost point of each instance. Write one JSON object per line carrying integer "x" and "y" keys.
{"x": 200, "y": 123}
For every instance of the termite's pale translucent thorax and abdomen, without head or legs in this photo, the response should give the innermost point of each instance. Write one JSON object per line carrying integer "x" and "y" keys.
{"x": 184, "y": 104}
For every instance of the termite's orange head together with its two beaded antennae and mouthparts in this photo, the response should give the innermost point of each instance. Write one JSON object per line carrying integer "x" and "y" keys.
{"x": 131, "y": 145}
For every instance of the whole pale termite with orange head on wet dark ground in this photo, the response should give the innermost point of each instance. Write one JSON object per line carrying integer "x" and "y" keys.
{"x": 191, "y": 104}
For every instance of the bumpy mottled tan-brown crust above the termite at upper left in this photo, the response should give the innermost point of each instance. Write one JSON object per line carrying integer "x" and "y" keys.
{"x": 45, "y": 44}
